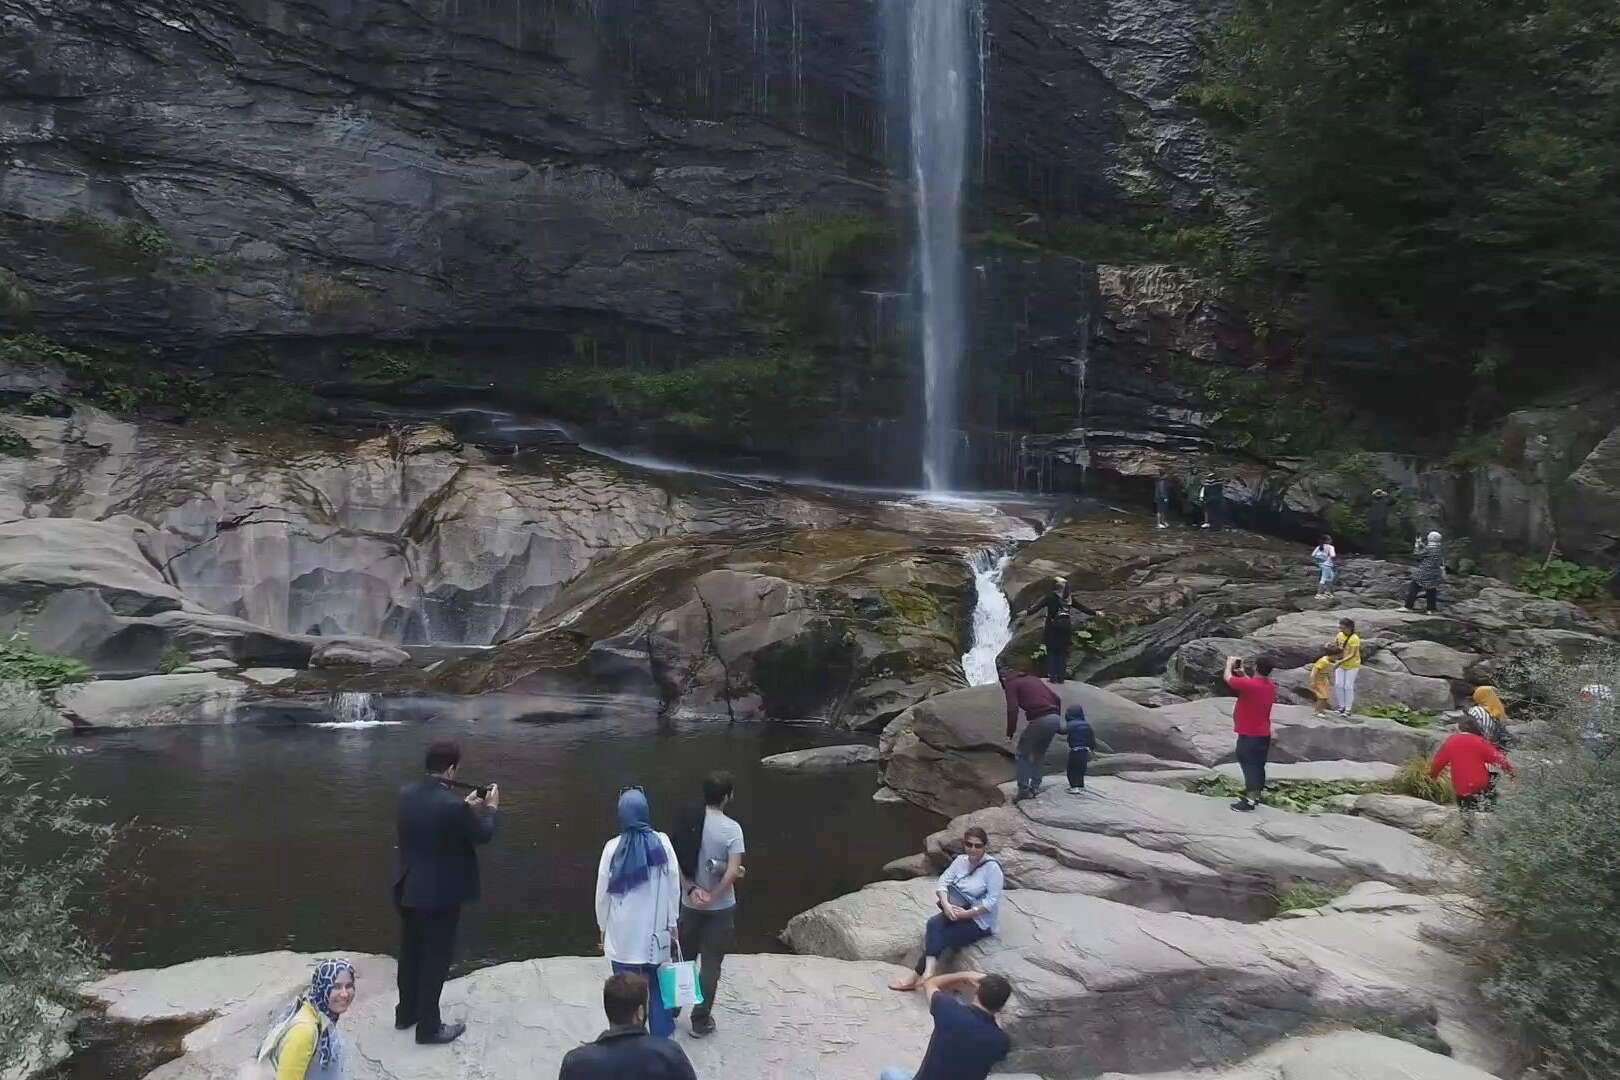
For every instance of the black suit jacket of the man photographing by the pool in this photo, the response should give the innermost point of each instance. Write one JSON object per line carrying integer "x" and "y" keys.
{"x": 437, "y": 861}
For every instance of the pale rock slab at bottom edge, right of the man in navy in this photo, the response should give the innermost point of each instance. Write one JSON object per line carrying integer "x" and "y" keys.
{"x": 1334, "y": 1057}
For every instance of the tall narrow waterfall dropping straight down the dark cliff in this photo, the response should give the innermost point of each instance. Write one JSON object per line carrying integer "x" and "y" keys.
{"x": 942, "y": 43}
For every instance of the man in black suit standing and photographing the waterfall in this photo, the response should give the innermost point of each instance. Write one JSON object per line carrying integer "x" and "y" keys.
{"x": 435, "y": 874}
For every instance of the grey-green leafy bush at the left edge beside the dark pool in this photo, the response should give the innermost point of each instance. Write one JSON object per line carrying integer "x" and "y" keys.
{"x": 48, "y": 853}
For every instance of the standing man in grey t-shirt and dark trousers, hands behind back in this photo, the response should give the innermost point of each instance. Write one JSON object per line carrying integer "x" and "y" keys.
{"x": 709, "y": 906}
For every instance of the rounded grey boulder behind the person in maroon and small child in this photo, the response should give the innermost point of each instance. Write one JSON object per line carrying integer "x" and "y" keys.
{"x": 952, "y": 752}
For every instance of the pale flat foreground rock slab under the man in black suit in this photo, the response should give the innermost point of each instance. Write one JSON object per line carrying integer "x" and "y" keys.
{"x": 778, "y": 1016}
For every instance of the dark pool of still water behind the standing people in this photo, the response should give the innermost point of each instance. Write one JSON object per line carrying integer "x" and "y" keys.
{"x": 281, "y": 838}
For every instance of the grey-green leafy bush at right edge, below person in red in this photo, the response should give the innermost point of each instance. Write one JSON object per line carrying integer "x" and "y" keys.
{"x": 1548, "y": 883}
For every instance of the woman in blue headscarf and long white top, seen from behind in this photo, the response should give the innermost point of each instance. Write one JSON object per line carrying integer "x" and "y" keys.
{"x": 639, "y": 903}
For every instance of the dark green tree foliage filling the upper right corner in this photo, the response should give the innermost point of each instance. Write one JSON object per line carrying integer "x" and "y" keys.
{"x": 1443, "y": 177}
